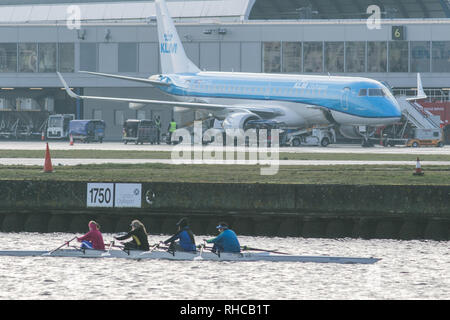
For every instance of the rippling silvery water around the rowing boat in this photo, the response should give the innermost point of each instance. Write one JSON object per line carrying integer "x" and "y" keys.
{"x": 408, "y": 270}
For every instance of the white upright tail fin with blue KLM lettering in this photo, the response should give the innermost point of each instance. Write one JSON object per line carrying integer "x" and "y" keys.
{"x": 173, "y": 56}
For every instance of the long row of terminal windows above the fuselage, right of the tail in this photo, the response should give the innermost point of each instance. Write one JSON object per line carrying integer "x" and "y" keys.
{"x": 356, "y": 57}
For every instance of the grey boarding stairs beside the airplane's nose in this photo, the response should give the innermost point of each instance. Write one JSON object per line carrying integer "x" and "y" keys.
{"x": 417, "y": 115}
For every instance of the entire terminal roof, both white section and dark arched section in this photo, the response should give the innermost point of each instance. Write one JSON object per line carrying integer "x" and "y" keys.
{"x": 28, "y": 11}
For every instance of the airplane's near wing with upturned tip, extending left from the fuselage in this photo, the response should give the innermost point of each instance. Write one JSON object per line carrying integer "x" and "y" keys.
{"x": 262, "y": 111}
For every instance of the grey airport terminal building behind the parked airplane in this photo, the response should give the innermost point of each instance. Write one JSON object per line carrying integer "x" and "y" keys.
{"x": 338, "y": 37}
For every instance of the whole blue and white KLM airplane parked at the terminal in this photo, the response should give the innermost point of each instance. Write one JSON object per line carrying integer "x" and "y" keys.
{"x": 298, "y": 101}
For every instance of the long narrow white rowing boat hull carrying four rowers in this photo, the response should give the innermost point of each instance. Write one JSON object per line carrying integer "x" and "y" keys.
{"x": 179, "y": 255}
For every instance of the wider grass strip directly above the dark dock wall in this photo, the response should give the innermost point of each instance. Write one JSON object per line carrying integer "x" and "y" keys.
{"x": 342, "y": 174}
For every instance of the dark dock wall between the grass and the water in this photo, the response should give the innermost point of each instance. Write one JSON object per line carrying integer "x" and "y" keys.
{"x": 404, "y": 212}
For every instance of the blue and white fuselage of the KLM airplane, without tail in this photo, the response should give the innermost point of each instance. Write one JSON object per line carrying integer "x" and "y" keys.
{"x": 302, "y": 100}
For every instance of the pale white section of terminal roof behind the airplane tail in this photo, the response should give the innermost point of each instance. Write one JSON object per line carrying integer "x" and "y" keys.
{"x": 26, "y": 11}
